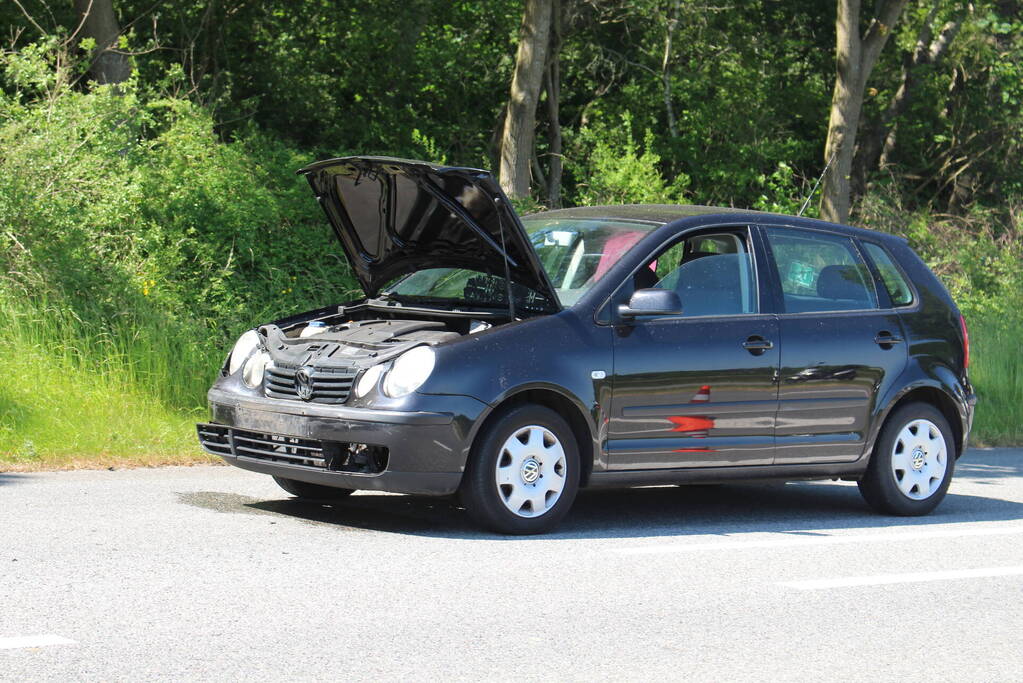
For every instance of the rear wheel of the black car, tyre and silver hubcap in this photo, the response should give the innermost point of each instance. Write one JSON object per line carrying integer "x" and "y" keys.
{"x": 913, "y": 463}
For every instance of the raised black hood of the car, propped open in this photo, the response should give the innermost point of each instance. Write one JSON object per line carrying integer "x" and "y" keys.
{"x": 395, "y": 217}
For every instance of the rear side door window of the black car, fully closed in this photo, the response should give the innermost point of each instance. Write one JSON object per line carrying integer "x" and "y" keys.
{"x": 821, "y": 272}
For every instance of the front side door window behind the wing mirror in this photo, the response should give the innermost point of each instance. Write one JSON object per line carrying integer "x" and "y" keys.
{"x": 713, "y": 275}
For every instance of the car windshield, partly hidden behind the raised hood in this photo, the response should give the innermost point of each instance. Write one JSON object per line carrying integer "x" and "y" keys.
{"x": 575, "y": 254}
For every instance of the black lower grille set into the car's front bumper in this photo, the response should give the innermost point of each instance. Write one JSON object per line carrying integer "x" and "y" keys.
{"x": 334, "y": 457}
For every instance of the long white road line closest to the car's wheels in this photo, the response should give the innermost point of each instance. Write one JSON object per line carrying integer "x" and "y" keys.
{"x": 790, "y": 541}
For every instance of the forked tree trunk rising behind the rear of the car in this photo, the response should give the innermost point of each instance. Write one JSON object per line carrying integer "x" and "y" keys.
{"x": 856, "y": 60}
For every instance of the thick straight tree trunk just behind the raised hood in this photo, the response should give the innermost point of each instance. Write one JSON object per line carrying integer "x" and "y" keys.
{"x": 520, "y": 124}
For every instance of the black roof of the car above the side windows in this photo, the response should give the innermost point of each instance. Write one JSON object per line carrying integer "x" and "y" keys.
{"x": 664, "y": 214}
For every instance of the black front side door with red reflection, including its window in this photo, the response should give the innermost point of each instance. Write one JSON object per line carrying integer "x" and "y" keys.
{"x": 698, "y": 390}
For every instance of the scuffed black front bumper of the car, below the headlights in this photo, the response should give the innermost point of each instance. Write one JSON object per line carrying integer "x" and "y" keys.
{"x": 426, "y": 450}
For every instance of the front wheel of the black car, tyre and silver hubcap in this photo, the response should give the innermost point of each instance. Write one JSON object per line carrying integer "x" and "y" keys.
{"x": 523, "y": 475}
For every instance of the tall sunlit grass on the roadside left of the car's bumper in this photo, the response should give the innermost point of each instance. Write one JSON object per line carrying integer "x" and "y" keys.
{"x": 75, "y": 396}
